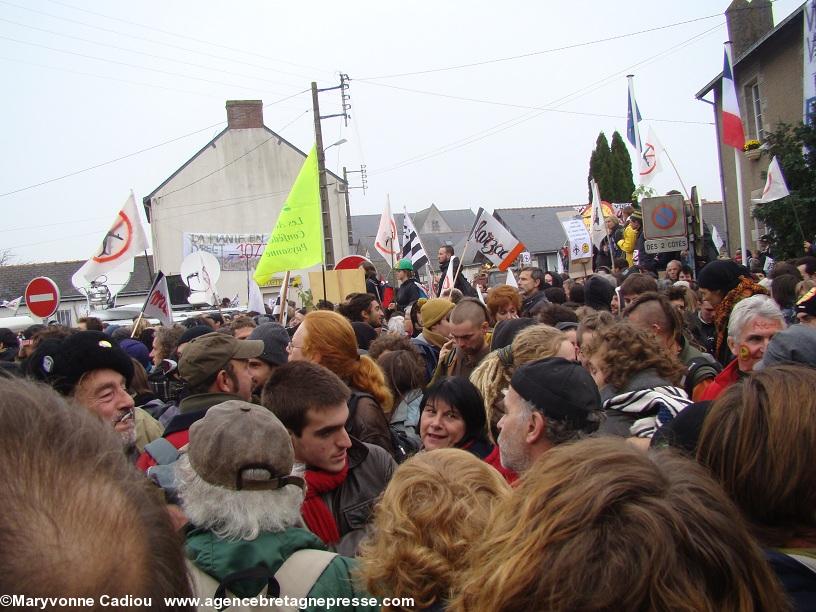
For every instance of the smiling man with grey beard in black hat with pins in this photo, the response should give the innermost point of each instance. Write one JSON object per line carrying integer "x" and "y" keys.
{"x": 90, "y": 368}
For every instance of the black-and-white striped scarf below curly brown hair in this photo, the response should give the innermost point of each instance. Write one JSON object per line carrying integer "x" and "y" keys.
{"x": 655, "y": 407}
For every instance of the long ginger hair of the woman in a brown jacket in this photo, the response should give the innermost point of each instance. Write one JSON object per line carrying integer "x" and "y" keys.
{"x": 331, "y": 342}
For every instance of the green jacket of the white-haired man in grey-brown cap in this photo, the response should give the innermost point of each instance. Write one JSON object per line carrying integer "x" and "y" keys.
{"x": 219, "y": 558}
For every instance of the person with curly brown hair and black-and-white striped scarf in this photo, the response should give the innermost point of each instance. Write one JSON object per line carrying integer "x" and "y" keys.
{"x": 638, "y": 378}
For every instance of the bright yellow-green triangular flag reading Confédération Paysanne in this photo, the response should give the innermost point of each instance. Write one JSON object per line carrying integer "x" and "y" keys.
{"x": 296, "y": 242}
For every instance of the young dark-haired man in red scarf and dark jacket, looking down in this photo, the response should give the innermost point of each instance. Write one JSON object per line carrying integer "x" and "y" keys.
{"x": 344, "y": 477}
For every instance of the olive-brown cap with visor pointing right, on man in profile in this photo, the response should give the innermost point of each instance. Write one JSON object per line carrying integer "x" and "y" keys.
{"x": 204, "y": 356}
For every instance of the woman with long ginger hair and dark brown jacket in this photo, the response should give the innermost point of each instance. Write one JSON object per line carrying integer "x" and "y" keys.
{"x": 327, "y": 338}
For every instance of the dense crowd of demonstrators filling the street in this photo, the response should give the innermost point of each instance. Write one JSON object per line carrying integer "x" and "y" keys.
{"x": 640, "y": 439}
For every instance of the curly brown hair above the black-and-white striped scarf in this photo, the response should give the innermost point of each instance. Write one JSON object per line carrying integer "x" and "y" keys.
{"x": 626, "y": 350}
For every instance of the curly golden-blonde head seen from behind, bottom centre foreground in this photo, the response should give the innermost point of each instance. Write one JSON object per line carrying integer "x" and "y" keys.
{"x": 436, "y": 505}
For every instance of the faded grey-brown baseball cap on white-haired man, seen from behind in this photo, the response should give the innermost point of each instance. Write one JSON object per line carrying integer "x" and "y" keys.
{"x": 237, "y": 437}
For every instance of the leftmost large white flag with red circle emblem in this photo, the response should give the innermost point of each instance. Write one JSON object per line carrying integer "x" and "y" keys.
{"x": 124, "y": 240}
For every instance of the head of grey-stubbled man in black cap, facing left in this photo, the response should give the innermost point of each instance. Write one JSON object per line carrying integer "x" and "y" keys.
{"x": 549, "y": 402}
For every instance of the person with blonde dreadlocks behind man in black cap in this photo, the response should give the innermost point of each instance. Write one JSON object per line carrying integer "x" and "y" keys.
{"x": 493, "y": 374}
